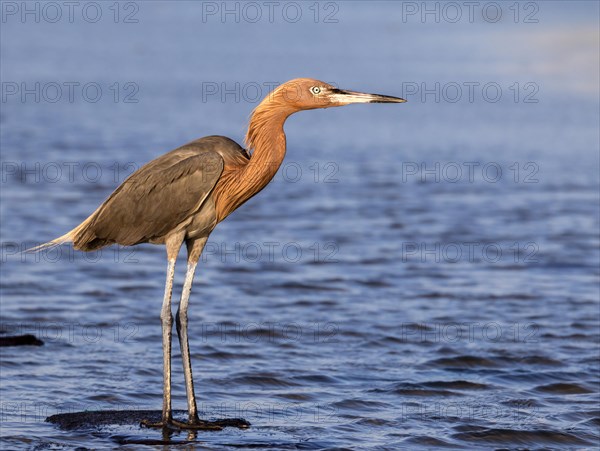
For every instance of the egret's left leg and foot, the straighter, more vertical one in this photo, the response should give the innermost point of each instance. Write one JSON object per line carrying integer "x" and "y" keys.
{"x": 166, "y": 318}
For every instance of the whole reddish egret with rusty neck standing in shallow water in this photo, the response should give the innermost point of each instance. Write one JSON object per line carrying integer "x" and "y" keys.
{"x": 182, "y": 195}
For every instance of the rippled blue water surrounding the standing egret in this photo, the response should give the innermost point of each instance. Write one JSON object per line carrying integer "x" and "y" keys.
{"x": 417, "y": 276}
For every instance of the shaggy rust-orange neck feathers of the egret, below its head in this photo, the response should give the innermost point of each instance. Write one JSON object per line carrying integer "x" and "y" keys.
{"x": 265, "y": 140}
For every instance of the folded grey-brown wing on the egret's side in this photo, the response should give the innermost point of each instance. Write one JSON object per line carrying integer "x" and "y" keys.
{"x": 154, "y": 200}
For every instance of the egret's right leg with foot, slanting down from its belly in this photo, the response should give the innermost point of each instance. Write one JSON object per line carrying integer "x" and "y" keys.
{"x": 194, "y": 250}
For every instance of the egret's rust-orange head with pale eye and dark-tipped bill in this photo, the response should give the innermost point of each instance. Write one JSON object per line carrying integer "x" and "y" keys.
{"x": 307, "y": 94}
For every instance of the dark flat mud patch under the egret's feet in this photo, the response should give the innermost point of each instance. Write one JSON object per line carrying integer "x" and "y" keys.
{"x": 99, "y": 419}
